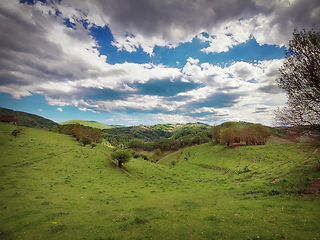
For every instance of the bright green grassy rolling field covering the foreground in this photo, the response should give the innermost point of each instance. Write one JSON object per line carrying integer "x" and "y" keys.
{"x": 53, "y": 188}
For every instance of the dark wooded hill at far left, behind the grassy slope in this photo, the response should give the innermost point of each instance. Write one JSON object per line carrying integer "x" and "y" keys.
{"x": 29, "y": 120}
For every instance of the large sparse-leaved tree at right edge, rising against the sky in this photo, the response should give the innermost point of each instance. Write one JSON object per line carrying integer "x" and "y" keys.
{"x": 300, "y": 78}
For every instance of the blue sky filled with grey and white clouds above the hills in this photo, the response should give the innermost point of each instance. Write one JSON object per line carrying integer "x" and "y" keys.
{"x": 124, "y": 62}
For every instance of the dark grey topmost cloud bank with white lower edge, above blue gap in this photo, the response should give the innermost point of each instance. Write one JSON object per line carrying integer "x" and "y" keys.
{"x": 168, "y": 23}
